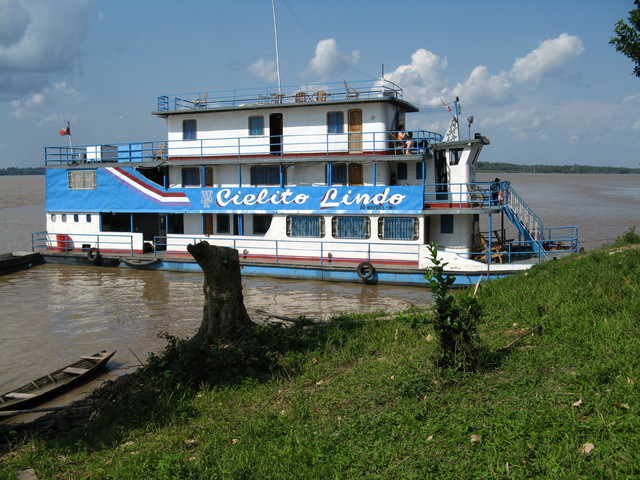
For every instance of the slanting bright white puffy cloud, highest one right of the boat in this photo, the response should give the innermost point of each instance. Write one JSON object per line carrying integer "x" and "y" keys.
{"x": 548, "y": 58}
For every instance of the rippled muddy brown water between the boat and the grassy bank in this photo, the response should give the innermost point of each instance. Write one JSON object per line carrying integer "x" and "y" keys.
{"x": 54, "y": 313}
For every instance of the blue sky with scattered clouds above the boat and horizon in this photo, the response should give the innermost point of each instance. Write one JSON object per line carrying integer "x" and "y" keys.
{"x": 540, "y": 78}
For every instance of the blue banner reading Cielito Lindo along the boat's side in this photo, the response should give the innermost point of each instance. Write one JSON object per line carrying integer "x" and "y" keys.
{"x": 123, "y": 189}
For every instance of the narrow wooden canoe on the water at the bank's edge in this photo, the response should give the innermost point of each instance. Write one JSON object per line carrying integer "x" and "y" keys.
{"x": 48, "y": 386}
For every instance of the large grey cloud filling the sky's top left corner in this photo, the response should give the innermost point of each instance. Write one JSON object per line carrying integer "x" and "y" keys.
{"x": 39, "y": 40}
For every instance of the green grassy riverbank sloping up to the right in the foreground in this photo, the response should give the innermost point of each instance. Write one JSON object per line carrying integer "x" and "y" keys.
{"x": 361, "y": 398}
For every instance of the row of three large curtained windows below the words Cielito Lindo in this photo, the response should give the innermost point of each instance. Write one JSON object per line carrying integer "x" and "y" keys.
{"x": 353, "y": 227}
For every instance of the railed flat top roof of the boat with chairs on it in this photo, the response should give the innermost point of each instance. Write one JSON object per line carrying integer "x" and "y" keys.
{"x": 291, "y": 96}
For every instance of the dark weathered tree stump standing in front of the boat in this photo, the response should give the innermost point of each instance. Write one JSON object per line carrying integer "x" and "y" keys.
{"x": 224, "y": 316}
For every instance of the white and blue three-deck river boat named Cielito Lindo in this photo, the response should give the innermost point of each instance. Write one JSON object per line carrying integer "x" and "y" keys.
{"x": 321, "y": 181}
